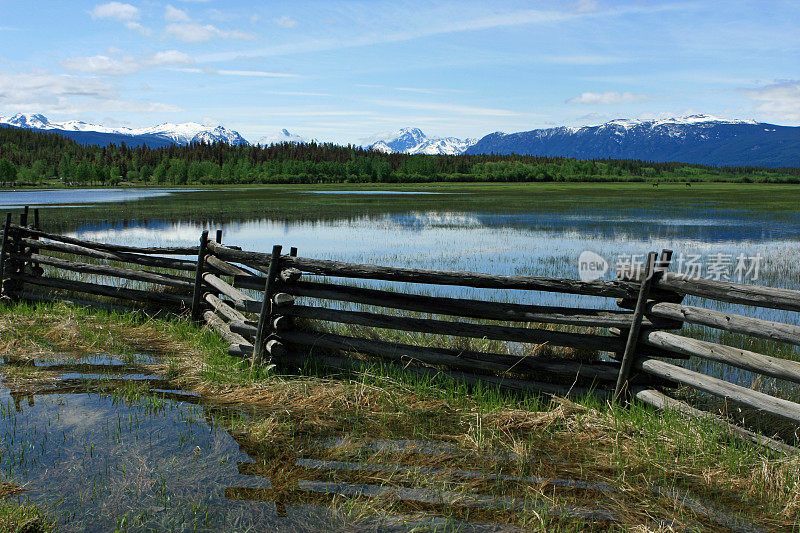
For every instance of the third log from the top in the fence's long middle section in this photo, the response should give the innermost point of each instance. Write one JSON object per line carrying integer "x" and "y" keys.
{"x": 460, "y": 329}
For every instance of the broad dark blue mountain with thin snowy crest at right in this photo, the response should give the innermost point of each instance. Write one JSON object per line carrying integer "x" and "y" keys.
{"x": 701, "y": 139}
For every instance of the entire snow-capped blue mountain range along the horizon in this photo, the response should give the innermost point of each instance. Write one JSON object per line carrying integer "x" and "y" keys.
{"x": 700, "y": 139}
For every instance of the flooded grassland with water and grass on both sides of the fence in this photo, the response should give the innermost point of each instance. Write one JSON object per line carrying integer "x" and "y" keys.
{"x": 118, "y": 421}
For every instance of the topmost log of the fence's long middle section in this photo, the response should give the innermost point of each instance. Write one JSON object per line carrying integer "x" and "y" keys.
{"x": 612, "y": 289}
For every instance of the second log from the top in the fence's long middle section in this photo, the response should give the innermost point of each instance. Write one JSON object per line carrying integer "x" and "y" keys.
{"x": 463, "y": 307}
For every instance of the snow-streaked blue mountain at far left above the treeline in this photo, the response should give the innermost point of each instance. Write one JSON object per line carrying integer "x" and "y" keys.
{"x": 160, "y": 135}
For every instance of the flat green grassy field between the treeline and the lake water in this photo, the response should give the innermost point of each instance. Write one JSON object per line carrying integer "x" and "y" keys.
{"x": 223, "y": 204}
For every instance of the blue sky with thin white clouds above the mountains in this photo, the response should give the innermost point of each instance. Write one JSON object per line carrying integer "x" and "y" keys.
{"x": 343, "y": 71}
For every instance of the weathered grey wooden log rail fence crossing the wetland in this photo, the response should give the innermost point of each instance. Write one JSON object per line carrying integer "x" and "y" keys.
{"x": 275, "y": 308}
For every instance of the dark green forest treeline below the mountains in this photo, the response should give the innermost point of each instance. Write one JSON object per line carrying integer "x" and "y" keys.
{"x": 31, "y": 157}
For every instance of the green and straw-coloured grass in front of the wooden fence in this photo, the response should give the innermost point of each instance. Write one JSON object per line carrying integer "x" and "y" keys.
{"x": 280, "y": 419}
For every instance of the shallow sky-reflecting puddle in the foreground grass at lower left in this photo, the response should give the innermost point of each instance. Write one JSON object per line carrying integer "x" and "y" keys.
{"x": 99, "y": 459}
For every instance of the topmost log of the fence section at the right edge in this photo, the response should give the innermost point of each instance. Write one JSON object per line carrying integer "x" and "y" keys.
{"x": 737, "y": 293}
